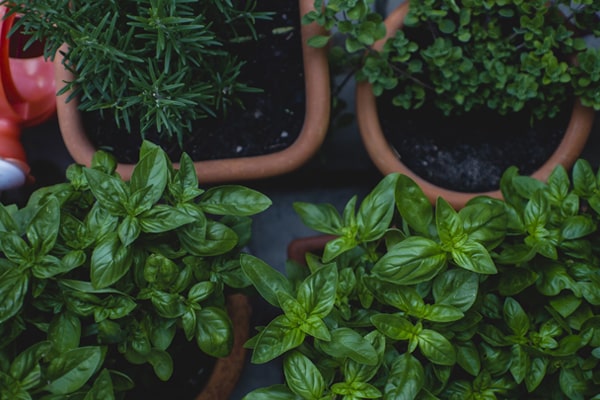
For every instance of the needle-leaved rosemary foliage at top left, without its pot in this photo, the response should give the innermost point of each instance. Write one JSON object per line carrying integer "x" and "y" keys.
{"x": 162, "y": 62}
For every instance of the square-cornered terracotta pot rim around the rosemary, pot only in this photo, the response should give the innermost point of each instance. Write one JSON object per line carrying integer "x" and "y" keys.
{"x": 316, "y": 120}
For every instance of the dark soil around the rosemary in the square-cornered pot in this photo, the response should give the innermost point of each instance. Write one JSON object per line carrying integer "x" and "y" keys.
{"x": 269, "y": 122}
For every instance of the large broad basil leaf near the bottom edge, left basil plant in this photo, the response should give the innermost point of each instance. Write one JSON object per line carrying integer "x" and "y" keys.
{"x": 71, "y": 370}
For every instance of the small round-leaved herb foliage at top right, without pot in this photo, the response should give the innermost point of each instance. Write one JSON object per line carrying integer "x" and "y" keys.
{"x": 506, "y": 55}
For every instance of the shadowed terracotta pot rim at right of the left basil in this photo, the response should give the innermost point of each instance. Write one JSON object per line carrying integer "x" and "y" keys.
{"x": 227, "y": 371}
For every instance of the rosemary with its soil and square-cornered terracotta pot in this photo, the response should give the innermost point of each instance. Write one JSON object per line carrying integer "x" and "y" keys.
{"x": 174, "y": 73}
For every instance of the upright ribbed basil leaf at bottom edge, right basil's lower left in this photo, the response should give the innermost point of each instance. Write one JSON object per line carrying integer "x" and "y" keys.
{"x": 302, "y": 376}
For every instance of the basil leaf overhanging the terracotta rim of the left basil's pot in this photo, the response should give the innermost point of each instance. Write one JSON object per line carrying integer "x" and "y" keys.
{"x": 214, "y": 331}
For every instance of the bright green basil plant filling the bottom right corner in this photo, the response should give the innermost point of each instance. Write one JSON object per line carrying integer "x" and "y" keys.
{"x": 500, "y": 300}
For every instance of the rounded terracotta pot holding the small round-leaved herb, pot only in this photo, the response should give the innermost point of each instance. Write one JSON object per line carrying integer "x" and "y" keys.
{"x": 387, "y": 161}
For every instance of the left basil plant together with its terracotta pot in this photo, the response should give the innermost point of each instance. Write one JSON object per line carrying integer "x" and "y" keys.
{"x": 113, "y": 289}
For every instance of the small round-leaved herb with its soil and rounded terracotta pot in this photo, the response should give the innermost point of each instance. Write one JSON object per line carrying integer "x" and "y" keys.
{"x": 481, "y": 63}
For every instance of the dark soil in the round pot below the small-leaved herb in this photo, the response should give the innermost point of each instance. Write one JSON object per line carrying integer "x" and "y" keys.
{"x": 469, "y": 153}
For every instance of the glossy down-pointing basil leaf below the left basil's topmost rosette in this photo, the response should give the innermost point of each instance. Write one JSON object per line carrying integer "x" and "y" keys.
{"x": 110, "y": 262}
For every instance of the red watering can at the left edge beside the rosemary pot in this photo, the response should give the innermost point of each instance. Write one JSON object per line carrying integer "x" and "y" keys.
{"x": 27, "y": 98}
